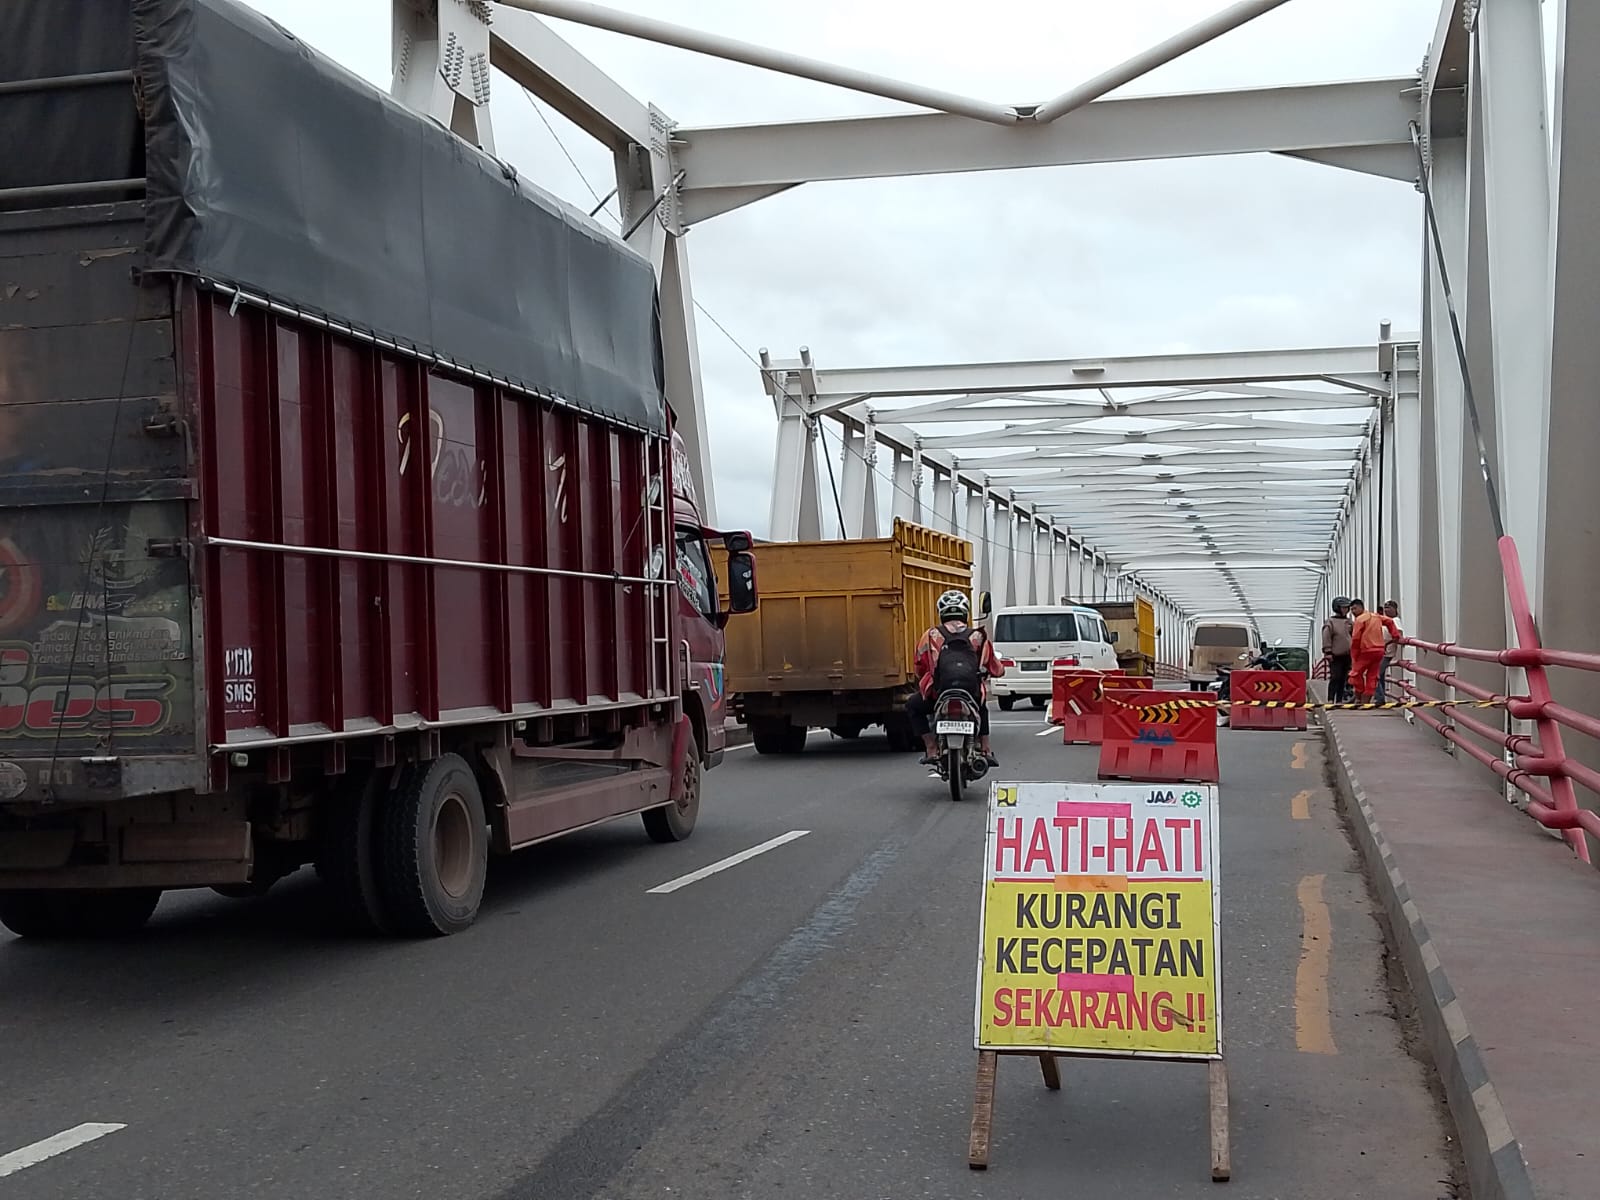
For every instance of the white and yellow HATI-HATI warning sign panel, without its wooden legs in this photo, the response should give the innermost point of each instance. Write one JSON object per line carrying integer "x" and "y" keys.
{"x": 1102, "y": 921}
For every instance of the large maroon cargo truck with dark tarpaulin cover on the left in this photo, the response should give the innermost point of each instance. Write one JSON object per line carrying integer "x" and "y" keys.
{"x": 297, "y": 566}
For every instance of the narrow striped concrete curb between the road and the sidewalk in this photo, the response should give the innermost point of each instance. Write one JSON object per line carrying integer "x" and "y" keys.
{"x": 1494, "y": 1156}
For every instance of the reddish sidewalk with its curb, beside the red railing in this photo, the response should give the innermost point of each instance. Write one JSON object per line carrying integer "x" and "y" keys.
{"x": 1498, "y": 927}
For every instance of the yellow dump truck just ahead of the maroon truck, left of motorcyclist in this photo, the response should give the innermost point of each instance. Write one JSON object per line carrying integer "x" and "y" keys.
{"x": 834, "y": 639}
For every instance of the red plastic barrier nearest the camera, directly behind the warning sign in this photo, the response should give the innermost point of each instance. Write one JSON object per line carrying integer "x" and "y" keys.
{"x": 1146, "y": 743}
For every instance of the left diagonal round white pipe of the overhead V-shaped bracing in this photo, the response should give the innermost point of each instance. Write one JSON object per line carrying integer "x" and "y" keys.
{"x": 762, "y": 57}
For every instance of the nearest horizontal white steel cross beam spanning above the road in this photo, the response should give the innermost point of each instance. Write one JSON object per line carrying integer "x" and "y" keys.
{"x": 1370, "y": 116}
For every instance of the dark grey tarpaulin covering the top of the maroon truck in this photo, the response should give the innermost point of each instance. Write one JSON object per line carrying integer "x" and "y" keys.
{"x": 276, "y": 170}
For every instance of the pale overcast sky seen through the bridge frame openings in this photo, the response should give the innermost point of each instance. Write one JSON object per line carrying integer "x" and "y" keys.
{"x": 1138, "y": 258}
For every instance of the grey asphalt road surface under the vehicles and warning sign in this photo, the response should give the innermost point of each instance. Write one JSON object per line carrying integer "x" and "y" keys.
{"x": 794, "y": 1026}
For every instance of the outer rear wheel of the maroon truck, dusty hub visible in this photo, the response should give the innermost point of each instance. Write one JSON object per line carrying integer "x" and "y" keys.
{"x": 434, "y": 850}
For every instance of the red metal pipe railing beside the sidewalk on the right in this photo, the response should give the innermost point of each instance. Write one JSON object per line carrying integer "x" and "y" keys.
{"x": 1553, "y": 802}
